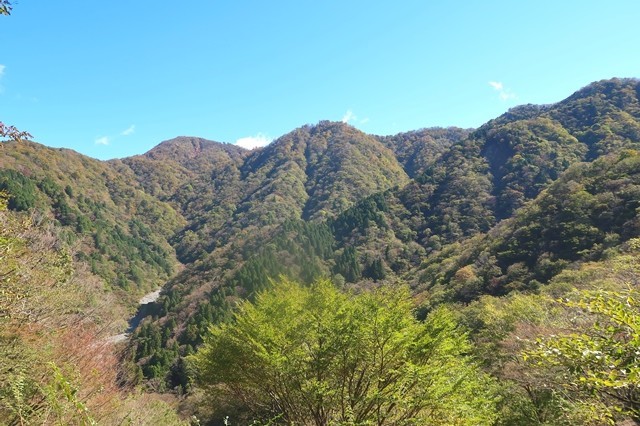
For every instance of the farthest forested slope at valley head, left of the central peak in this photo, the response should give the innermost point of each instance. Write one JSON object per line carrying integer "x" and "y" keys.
{"x": 199, "y": 178}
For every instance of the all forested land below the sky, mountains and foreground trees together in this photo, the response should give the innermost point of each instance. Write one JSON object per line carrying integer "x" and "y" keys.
{"x": 440, "y": 276}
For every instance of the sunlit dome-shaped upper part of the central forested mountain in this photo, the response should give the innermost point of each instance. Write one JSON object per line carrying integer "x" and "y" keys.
{"x": 323, "y": 168}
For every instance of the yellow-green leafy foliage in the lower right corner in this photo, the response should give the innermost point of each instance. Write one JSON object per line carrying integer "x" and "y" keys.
{"x": 599, "y": 364}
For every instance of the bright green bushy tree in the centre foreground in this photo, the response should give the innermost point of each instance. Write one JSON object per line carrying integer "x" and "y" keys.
{"x": 317, "y": 356}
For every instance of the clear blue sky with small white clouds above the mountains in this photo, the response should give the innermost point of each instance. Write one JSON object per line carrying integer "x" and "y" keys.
{"x": 112, "y": 79}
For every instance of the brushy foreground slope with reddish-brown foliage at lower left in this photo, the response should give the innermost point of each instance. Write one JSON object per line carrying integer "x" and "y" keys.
{"x": 57, "y": 363}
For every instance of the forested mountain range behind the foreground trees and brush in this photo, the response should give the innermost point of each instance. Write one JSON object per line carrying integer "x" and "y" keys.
{"x": 453, "y": 213}
